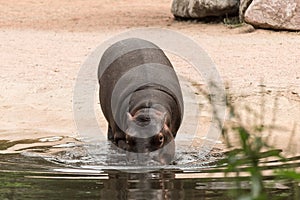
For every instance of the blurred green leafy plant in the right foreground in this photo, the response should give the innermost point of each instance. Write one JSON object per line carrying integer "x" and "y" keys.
{"x": 250, "y": 149}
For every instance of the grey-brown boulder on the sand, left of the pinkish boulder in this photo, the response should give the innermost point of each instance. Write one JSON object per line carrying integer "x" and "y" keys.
{"x": 203, "y": 8}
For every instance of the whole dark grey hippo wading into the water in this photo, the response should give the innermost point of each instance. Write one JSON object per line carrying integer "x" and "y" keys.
{"x": 140, "y": 95}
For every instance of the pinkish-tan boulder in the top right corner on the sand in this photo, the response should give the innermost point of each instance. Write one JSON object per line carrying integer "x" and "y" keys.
{"x": 274, "y": 14}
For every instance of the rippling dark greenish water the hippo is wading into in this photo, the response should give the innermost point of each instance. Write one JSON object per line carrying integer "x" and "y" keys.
{"x": 67, "y": 171}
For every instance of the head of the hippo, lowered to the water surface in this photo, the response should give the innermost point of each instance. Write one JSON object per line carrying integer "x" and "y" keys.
{"x": 147, "y": 131}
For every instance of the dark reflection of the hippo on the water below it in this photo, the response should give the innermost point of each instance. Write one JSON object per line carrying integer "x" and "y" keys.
{"x": 152, "y": 185}
